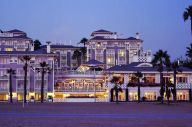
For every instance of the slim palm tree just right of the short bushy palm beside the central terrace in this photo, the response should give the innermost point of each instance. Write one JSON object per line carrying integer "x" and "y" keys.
{"x": 138, "y": 76}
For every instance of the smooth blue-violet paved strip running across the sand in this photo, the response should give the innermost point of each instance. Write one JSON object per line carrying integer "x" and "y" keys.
{"x": 120, "y": 116}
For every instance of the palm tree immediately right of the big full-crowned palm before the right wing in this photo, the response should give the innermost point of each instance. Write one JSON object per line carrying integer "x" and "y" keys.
{"x": 176, "y": 69}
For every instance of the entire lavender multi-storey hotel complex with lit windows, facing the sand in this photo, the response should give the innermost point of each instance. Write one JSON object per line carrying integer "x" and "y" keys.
{"x": 107, "y": 55}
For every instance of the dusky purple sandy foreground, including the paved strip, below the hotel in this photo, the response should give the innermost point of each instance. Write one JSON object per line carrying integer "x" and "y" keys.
{"x": 96, "y": 115}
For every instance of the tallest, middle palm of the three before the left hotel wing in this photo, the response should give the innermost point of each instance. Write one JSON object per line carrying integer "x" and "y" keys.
{"x": 26, "y": 60}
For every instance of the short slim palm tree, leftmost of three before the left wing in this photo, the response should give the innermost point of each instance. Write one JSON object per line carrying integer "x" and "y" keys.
{"x": 10, "y": 72}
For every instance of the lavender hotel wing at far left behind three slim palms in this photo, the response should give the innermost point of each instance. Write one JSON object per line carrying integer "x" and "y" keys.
{"x": 14, "y": 45}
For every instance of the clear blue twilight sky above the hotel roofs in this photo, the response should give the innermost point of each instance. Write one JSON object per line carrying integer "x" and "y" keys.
{"x": 159, "y": 22}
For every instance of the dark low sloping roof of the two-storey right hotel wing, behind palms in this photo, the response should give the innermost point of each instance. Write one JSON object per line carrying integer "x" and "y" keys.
{"x": 137, "y": 66}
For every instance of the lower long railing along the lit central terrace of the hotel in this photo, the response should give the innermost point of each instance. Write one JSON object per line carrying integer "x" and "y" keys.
{"x": 79, "y": 90}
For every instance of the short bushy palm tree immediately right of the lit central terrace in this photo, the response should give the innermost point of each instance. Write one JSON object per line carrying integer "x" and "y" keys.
{"x": 116, "y": 81}
